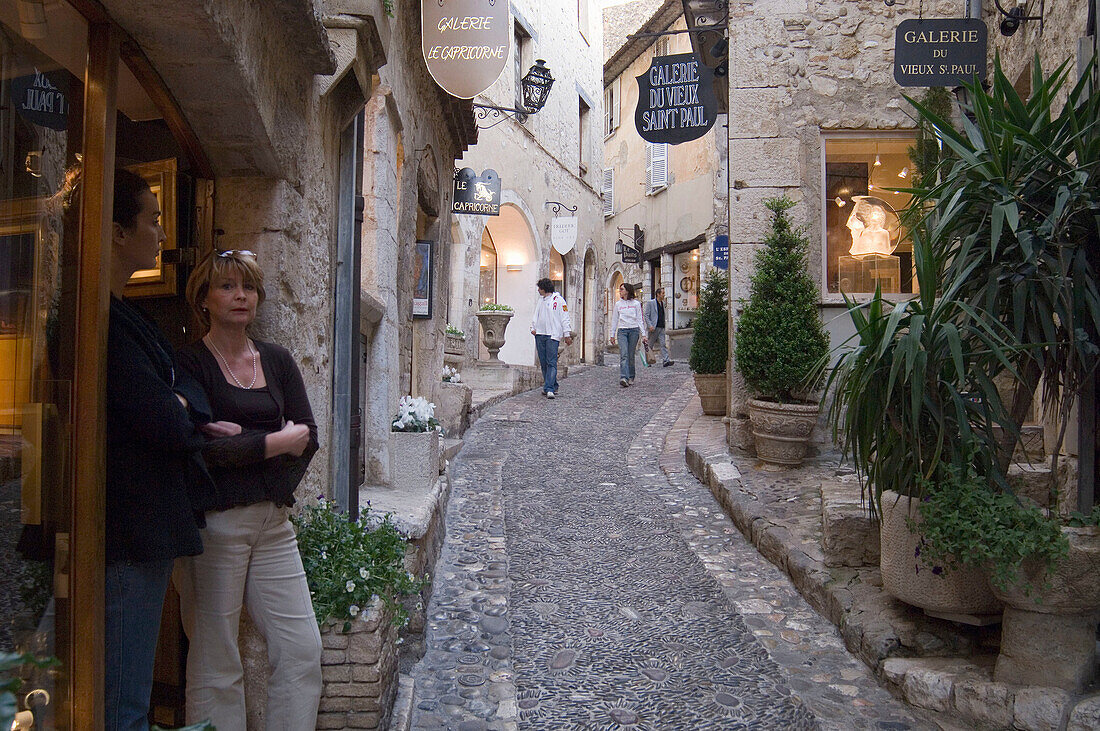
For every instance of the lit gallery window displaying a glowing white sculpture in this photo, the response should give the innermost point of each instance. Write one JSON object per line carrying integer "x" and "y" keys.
{"x": 866, "y": 247}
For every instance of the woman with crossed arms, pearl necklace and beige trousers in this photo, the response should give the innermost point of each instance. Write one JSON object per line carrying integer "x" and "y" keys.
{"x": 251, "y": 559}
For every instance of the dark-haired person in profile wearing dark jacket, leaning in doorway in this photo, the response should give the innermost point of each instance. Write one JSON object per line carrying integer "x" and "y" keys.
{"x": 156, "y": 475}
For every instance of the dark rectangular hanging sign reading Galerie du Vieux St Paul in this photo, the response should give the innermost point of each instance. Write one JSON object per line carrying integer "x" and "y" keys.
{"x": 943, "y": 52}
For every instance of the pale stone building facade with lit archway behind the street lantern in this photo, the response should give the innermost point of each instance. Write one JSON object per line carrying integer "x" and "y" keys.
{"x": 553, "y": 157}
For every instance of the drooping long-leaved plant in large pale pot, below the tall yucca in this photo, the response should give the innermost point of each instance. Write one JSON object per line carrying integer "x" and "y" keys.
{"x": 912, "y": 391}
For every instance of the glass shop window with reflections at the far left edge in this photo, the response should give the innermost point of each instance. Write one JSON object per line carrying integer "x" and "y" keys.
{"x": 43, "y": 52}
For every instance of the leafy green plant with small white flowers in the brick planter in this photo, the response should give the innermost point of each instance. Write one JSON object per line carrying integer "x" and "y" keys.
{"x": 349, "y": 563}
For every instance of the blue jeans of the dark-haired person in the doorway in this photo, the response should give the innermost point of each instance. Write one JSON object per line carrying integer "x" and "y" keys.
{"x": 135, "y": 596}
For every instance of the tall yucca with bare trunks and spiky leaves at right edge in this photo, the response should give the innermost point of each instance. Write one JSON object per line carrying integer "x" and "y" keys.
{"x": 1016, "y": 219}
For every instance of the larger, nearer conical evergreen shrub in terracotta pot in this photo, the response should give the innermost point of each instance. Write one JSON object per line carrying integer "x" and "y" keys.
{"x": 780, "y": 340}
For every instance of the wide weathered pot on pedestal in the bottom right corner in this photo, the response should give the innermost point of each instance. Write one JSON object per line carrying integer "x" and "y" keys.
{"x": 1049, "y": 638}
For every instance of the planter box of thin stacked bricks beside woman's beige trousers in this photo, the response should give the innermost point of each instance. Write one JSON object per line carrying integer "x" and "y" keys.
{"x": 360, "y": 672}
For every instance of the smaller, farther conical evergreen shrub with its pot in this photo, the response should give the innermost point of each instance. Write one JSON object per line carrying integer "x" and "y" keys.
{"x": 710, "y": 346}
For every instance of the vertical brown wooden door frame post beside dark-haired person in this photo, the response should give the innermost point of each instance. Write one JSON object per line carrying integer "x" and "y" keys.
{"x": 86, "y": 545}
